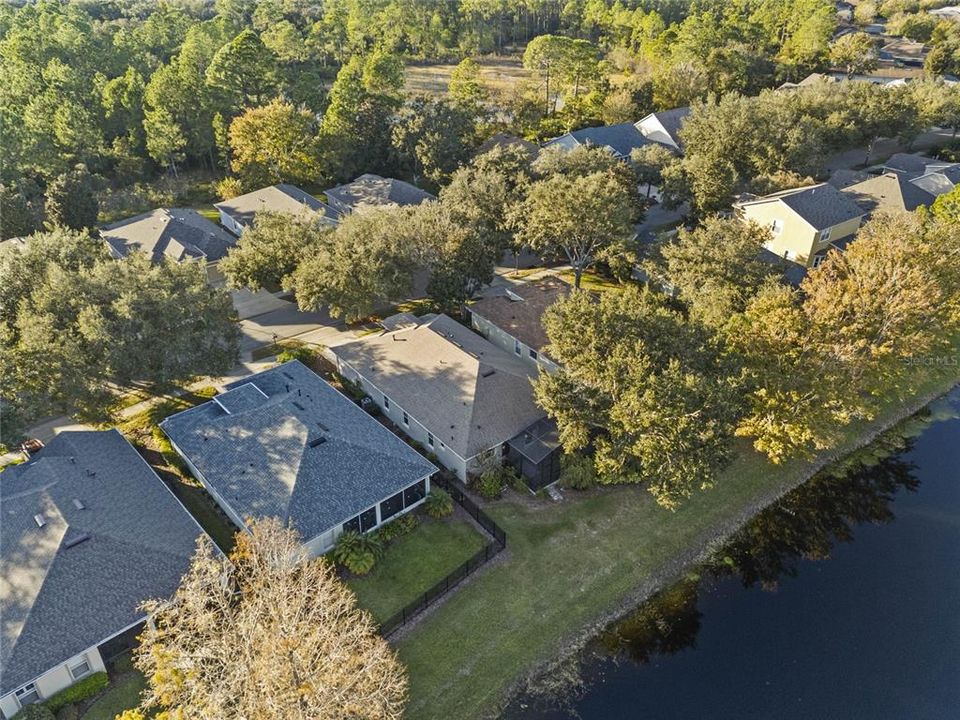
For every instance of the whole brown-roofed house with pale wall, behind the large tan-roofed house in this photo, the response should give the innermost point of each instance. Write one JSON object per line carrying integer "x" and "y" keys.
{"x": 512, "y": 318}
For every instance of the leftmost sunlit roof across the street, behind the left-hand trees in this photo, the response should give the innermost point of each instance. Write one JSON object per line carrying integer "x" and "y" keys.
{"x": 177, "y": 234}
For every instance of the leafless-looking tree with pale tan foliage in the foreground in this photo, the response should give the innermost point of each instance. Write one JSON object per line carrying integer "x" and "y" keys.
{"x": 267, "y": 634}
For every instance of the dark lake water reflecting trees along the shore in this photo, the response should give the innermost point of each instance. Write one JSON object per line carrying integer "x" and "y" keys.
{"x": 842, "y": 601}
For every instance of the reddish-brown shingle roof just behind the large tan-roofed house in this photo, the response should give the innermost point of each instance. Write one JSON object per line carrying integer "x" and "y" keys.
{"x": 518, "y": 309}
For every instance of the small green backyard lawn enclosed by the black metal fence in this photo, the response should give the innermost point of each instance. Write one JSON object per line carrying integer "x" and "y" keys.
{"x": 413, "y": 563}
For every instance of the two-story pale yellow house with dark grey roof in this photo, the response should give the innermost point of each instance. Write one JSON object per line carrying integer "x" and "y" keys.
{"x": 805, "y": 222}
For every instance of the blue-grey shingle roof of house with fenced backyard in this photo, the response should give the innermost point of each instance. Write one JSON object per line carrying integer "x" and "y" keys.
{"x": 284, "y": 443}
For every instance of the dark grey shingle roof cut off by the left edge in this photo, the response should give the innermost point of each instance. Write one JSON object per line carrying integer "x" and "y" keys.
{"x": 113, "y": 536}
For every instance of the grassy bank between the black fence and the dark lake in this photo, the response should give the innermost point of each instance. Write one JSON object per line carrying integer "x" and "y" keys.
{"x": 568, "y": 564}
